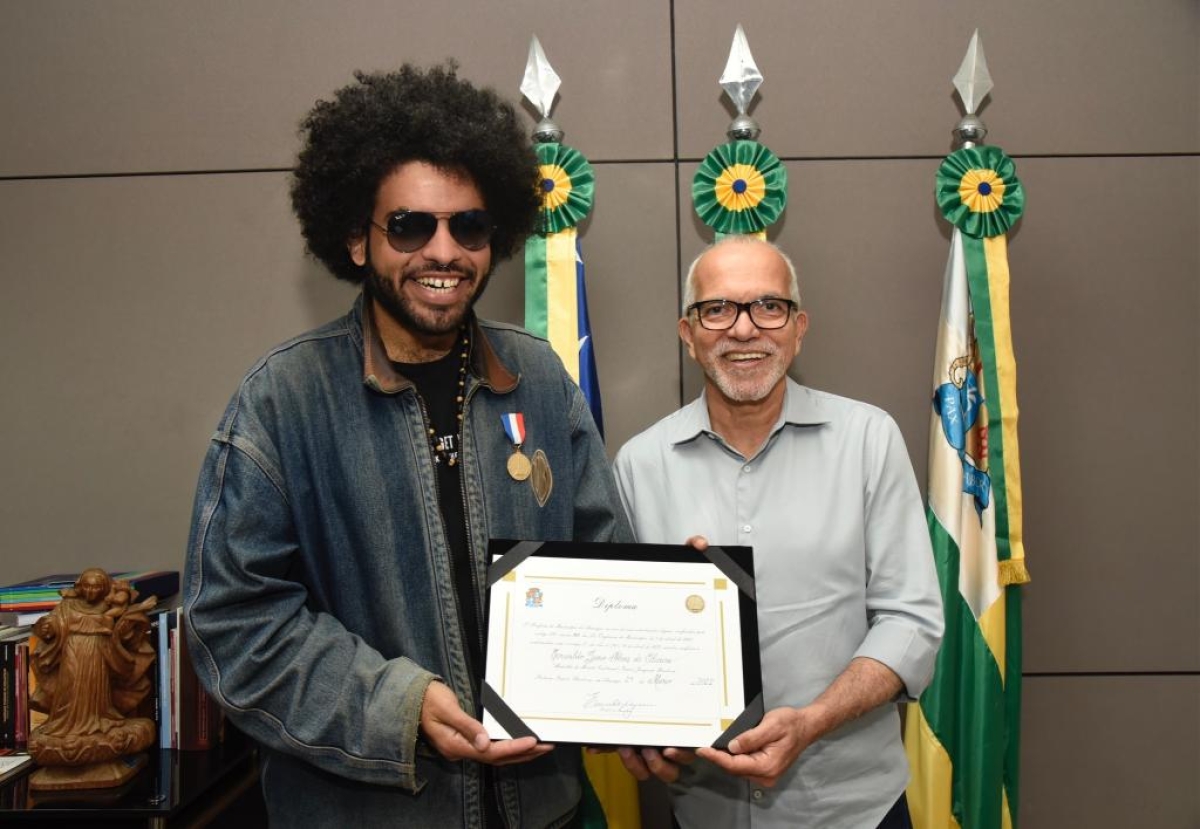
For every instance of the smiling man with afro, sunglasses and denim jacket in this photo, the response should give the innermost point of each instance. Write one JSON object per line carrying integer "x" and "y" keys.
{"x": 335, "y": 569}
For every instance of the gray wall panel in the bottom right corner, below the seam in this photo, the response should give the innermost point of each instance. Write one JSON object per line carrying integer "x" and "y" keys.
{"x": 1111, "y": 752}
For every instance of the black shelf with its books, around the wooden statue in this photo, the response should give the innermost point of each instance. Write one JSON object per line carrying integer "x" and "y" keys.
{"x": 199, "y": 770}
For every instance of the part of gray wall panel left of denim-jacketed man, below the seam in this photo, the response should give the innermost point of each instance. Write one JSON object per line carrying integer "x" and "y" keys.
{"x": 130, "y": 310}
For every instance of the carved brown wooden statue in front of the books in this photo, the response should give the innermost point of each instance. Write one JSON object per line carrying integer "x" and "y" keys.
{"x": 91, "y": 663}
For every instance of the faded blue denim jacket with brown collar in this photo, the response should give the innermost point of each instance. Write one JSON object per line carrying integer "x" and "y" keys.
{"x": 320, "y": 597}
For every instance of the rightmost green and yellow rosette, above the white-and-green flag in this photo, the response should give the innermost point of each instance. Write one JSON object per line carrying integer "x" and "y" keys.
{"x": 979, "y": 191}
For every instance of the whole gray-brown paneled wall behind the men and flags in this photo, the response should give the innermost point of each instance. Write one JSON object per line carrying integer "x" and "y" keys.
{"x": 148, "y": 256}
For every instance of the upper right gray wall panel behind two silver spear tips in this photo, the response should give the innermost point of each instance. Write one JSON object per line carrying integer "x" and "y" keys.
{"x": 863, "y": 79}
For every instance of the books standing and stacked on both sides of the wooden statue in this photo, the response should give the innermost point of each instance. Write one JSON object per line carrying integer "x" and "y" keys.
{"x": 185, "y": 716}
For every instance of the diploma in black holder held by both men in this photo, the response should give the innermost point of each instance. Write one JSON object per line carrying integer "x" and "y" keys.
{"x": 621, "y": 645}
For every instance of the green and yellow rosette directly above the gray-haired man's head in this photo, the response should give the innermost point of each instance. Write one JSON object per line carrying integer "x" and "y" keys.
{"x": 740, "y": 189}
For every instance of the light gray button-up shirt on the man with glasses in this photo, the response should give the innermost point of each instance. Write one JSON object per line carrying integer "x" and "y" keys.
{"x": 843, "y": 569}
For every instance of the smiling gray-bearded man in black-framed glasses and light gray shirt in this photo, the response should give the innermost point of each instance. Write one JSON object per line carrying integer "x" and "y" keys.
{"x": 821, "y": 488}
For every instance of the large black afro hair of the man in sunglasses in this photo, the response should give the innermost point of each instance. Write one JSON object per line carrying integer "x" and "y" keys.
{"x": 385, "y": 121}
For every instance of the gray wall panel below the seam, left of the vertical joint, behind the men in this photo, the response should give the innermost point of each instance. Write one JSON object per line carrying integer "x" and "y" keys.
{"x": 145, "y": 325}
